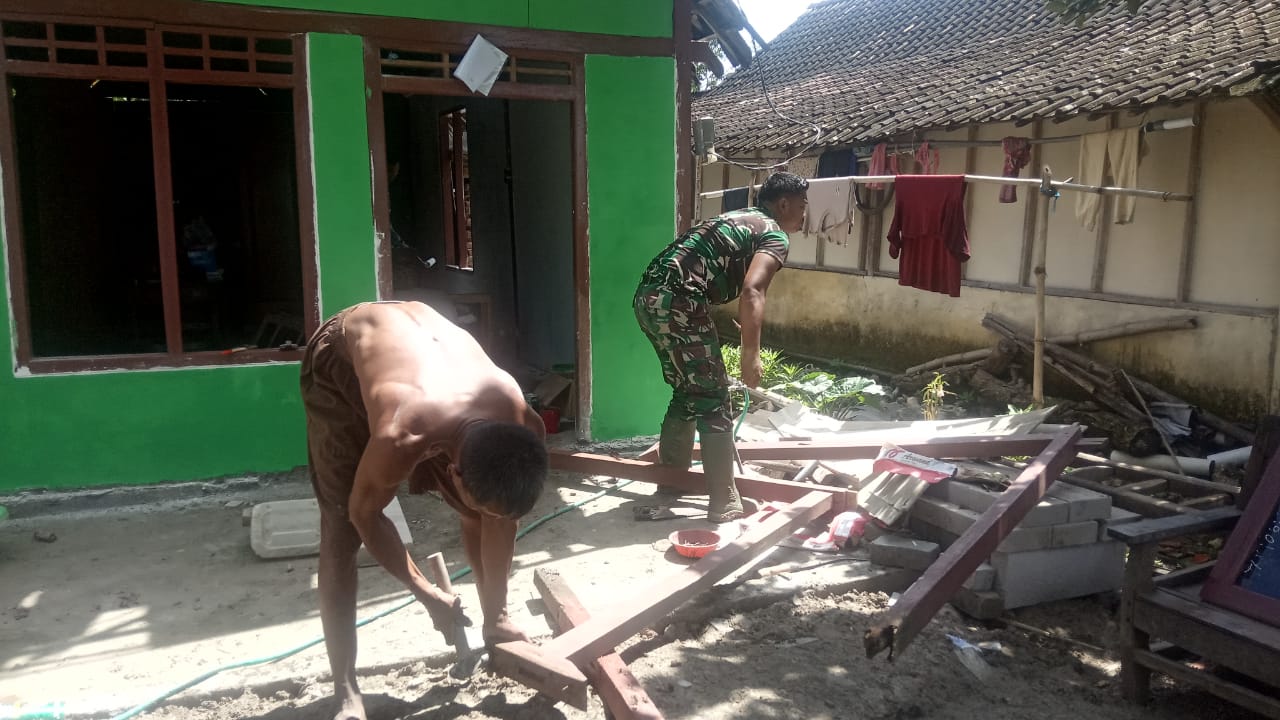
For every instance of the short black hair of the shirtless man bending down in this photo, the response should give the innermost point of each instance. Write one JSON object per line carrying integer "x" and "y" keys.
{"x": 504, "y": 467}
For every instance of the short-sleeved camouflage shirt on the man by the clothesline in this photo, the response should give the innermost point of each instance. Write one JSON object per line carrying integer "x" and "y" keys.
{"x": 711, "y": 259}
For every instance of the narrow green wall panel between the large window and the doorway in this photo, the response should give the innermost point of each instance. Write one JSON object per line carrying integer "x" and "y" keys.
{"x": 340, "y": 144}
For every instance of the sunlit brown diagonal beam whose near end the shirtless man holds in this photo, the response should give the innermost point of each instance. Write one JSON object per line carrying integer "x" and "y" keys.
{"x": 545, "y": 668}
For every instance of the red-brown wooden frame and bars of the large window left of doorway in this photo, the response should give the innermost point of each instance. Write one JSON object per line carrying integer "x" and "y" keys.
{"x": 158, "y": 78}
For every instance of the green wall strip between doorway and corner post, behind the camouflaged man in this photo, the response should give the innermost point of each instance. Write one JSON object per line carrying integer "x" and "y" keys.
{"x": 632, "y": 171}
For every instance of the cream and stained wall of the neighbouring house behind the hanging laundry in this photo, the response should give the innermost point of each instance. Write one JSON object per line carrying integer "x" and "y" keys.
{"x": 1228, "y": 363}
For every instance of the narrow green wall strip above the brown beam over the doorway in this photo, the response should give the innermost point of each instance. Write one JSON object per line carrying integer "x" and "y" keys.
{"x": 647, "y": 19}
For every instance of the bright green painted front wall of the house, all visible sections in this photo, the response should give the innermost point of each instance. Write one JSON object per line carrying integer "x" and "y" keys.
{"x": 171, "y": 425}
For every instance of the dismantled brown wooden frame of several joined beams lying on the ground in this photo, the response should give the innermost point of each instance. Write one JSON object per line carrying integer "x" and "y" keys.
{"x": 555, "y": 668}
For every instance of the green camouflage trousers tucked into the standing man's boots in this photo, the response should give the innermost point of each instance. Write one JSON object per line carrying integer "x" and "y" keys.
{"x": 684, "y": 336}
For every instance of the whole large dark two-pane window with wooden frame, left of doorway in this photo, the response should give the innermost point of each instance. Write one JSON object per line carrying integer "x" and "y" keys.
{"x": 157, "y": 184}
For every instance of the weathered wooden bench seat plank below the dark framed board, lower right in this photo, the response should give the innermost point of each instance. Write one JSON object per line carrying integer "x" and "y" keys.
{"x": 1220, "y": 636}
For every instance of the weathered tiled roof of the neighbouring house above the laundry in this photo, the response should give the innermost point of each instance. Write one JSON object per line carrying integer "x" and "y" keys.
{"x": 868, "y": 70}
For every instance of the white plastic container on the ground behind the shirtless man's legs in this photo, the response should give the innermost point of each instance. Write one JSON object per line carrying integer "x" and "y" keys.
{"x": 291, "y": 528}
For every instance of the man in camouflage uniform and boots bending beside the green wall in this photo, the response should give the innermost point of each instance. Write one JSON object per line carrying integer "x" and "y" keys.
{"x": 733, "y": 257}
